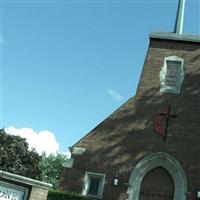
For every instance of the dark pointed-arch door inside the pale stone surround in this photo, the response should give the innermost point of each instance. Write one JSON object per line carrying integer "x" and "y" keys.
{"x": 157, "y": 185}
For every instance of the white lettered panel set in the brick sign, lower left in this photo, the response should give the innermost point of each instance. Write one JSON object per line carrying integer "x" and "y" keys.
{"x": 7, "y": 193}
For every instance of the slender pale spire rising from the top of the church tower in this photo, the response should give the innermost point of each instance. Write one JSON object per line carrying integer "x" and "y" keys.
{"x": 178, "y": 29}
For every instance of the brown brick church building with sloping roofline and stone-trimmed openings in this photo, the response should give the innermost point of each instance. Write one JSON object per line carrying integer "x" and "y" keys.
{"x": 148, "y": 149}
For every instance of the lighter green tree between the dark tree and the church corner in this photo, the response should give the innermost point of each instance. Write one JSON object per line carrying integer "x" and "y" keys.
{"x": 51, "y": 167}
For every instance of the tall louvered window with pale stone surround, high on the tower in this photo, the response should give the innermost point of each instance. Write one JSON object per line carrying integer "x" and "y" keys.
{"x": 172, "y": 75}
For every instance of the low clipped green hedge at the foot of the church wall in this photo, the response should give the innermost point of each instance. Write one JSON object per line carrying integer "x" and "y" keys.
{"x": 57, "y": 195}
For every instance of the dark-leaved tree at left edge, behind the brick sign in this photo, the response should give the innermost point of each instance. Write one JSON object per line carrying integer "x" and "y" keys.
{"x": 15, "y": 156}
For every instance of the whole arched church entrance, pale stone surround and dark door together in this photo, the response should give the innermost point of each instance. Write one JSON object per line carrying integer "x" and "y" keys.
{"x": 158, "y": 176}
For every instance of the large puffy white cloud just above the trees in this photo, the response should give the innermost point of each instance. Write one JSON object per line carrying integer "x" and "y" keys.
{"x": 42, "y": 141}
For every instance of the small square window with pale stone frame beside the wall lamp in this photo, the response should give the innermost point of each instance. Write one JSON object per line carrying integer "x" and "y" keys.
{"x": 93, "y": 184}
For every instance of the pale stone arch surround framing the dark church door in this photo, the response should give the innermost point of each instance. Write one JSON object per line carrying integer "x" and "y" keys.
{"x": 160, "y": 161}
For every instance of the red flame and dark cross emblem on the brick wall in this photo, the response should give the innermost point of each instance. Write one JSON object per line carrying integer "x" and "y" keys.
{"x": 161, "y": 121}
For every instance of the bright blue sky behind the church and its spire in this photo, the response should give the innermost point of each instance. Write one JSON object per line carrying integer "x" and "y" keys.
{"x": 67, "y": 65}
